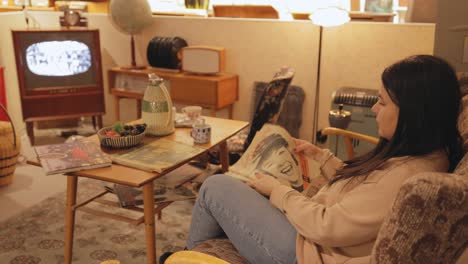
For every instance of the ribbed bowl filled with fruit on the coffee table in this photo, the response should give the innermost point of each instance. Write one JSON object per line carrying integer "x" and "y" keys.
{"x": 121, "y": 135}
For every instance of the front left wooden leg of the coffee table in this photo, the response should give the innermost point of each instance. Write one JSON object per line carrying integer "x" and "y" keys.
{"x": 72, "y": 182}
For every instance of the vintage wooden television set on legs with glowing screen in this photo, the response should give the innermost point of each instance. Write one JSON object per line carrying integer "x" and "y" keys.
{"x": 59, "y": 74}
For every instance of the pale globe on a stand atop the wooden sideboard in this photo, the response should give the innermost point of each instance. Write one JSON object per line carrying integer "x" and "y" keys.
{"x": 130, "y": 17}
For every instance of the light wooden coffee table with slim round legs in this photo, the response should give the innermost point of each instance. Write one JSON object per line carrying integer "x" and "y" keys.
{"x": 222, "y": 129}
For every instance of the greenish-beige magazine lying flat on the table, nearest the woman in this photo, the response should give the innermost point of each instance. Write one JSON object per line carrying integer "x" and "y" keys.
{"x": 157, "y": 155}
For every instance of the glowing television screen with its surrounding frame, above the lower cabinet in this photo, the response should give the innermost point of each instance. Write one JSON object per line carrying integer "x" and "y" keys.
{"x": 58, "y": 59}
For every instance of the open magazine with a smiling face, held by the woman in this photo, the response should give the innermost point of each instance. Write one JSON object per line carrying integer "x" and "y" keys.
{"x": 271, "y": 153}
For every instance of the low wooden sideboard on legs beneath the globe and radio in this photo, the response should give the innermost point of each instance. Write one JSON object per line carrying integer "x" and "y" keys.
{"x": 214, "y": 92}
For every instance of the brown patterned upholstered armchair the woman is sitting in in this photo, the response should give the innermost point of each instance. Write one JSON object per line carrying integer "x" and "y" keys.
{"x": 427, "y": 224}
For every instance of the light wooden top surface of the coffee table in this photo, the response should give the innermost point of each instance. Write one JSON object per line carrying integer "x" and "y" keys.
{"x": 222, "y": 129}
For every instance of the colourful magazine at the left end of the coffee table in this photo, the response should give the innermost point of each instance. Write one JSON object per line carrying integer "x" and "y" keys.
{"x": 71, "y": 156}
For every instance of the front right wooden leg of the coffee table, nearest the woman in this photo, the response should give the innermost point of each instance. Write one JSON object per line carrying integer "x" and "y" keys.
{"x": 150, "y": 230}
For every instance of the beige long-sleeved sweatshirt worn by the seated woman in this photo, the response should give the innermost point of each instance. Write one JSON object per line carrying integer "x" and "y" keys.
{"x": 340, "y": 223}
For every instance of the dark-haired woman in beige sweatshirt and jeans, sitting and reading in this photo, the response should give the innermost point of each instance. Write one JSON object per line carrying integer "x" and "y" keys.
{"x": 416, "y": 115}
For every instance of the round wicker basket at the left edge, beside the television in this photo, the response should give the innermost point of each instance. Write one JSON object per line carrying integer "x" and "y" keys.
{"x": 9, "y": 150}
